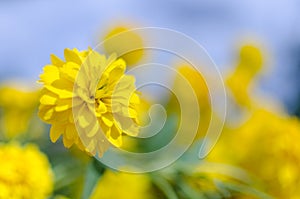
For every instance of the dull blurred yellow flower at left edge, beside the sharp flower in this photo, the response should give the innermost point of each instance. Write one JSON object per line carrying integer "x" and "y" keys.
{"x": 18, "y": 107}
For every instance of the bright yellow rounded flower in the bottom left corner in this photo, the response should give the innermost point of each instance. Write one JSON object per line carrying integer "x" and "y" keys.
{"x": 24, "y": 172}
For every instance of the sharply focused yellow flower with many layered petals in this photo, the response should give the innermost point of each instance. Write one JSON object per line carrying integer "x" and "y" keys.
{"x": 88, "y": 99}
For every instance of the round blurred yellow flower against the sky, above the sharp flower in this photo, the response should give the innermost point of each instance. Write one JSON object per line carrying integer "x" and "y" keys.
{"x": 128, "y": 45}
